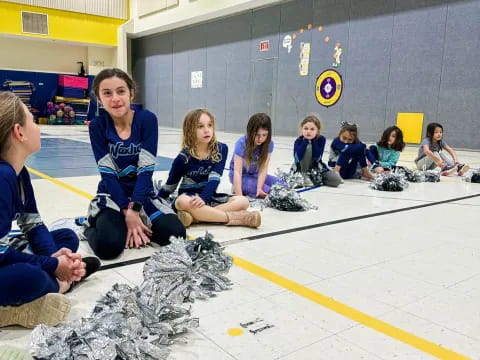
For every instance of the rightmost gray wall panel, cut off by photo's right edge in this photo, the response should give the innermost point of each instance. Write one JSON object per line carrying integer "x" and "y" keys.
{"x": 459, "y": 100}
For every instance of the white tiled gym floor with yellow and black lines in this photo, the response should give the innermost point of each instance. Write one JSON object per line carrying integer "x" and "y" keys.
{"x": 369, "y": 275}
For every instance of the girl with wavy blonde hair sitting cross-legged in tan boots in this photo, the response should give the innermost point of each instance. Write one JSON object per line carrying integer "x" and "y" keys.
{"x": 199, "y": 167}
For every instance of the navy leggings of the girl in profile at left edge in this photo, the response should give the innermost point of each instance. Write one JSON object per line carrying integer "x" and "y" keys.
{"x": 21, "y": 283}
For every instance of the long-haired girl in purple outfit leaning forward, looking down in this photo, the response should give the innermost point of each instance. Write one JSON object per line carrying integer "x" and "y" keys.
{"x": 249, "y": 165}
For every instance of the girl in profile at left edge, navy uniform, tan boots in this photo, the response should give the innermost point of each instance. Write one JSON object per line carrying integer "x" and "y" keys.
{"x": 30, "y": 283}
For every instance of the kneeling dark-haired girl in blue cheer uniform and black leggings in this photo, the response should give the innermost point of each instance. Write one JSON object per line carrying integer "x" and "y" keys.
{"x": 126, "y": 212}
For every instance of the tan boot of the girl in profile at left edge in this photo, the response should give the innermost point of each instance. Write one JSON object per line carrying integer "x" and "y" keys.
{"x": 51, "y": 309}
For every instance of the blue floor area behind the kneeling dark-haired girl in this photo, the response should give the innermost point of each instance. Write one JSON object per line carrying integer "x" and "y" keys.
{"x": 61, "y": 157}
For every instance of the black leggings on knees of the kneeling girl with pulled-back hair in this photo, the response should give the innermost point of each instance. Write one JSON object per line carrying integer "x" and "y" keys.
{"x": 107, "y": 234}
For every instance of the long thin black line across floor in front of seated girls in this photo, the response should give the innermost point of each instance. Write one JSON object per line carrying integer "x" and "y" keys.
{"x": 302, "y": 228}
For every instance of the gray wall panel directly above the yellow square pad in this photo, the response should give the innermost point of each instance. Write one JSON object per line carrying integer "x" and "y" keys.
{"x": 416, "y": 62}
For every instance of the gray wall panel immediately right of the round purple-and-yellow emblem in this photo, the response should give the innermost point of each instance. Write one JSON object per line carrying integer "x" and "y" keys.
{"x": 368, "y": 66}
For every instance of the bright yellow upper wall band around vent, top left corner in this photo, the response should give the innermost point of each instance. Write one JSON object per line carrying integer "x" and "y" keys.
{"x": 62, "y": 25}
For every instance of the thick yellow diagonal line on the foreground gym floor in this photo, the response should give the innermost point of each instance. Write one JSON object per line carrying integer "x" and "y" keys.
{"x": 351, "y": 313}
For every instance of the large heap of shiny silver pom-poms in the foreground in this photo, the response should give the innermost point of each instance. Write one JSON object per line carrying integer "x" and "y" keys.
{"x": 137, "y": 323}
